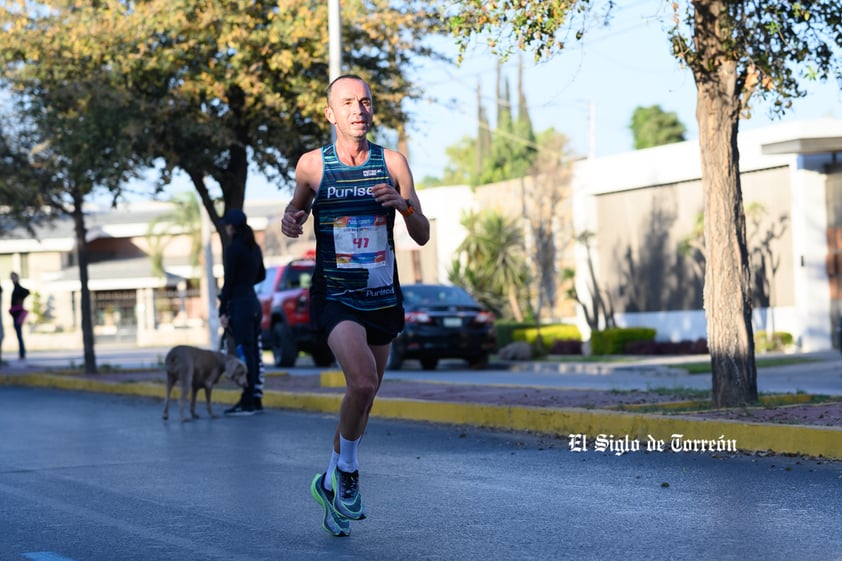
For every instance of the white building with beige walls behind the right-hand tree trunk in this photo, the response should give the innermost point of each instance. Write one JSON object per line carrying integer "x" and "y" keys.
{"x": 641, "y": 204}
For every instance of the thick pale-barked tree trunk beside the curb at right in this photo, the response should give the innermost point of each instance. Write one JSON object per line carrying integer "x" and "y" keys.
{"x": 727, "y": 292}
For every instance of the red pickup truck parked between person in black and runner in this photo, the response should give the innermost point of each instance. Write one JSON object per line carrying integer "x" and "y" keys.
{"x": 285, "y": 299}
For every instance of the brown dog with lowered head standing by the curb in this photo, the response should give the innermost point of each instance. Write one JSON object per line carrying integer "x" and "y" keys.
{"x": 199, "y": 368}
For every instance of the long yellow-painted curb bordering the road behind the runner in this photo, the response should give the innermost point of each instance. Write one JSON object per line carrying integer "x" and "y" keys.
{"x": 616, "y": 425}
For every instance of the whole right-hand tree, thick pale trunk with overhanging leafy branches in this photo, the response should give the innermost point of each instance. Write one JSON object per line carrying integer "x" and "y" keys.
{"x": 736, "y": 49}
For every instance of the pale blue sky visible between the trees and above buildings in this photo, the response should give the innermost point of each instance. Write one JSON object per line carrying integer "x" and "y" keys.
{"x": 587, "y": 92}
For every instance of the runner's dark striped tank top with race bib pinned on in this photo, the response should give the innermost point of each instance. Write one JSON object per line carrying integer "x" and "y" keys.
{"x": 355, "y": 248}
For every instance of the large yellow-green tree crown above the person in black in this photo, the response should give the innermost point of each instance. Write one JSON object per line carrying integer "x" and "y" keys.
{"x": 224, "y": 86}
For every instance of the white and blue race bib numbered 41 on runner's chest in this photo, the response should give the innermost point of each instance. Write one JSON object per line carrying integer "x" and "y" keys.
{"x": 360, "y": 241}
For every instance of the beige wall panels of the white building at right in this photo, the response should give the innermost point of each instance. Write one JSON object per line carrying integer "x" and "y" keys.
{"x": 640, "y": 264}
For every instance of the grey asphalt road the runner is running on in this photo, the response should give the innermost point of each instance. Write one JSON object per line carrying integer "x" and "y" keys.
{"x": 89, "y": 477}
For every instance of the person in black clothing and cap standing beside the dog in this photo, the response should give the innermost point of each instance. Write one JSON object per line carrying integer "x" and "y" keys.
{"x": 239, "y": 308}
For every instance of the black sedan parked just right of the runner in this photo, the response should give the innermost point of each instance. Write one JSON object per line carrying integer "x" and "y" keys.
{"x": 443, "y": 322}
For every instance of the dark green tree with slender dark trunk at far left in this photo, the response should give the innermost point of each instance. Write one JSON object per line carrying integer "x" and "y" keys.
{"x": 68, "y": 144}
